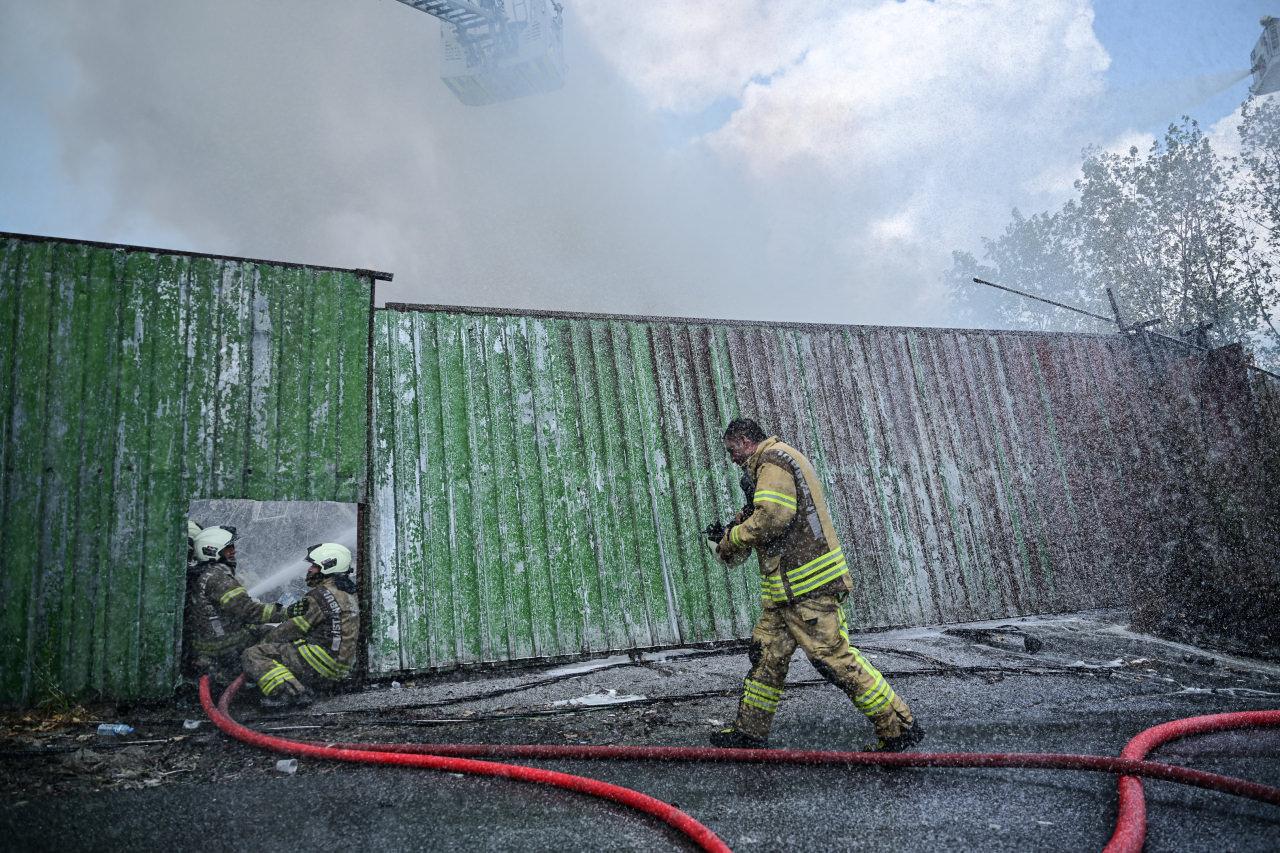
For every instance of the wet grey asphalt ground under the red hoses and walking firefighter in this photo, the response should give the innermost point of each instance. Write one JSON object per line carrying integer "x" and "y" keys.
{"x": 1089, "y": 687}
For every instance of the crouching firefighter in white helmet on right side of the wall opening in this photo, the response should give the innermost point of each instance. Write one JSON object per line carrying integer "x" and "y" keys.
{"x": 316, "y": 646}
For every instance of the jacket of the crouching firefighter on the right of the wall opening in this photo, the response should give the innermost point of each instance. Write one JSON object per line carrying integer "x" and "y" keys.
{"x": 323, "y": 628}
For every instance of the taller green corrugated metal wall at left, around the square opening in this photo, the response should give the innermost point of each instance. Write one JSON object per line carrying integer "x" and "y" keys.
{"x": 132, "y": 382}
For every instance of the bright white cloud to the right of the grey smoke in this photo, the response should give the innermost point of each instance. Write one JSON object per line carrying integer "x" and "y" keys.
{"x": 902, "y": 130}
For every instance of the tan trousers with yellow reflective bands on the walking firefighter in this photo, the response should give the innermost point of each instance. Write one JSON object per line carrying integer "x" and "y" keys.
{"x": 819, "y": 627}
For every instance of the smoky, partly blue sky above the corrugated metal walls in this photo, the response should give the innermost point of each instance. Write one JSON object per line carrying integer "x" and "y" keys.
{"x": 678, "y": 154}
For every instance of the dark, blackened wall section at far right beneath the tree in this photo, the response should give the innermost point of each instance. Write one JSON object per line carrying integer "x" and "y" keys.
{"x": 1212, "y": 541}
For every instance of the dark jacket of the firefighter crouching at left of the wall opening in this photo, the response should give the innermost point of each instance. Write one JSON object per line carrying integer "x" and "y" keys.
{"x": 220, "y": 612}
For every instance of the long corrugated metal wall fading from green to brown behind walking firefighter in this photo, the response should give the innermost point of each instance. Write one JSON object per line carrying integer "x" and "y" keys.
{"x": 541, "y": 483}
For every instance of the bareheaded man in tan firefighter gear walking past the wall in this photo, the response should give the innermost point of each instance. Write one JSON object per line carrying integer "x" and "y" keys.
{"x": 804, "y": 582}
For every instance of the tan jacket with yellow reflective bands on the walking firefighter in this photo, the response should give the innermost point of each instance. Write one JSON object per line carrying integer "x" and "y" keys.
{"x": 790, "y": 530}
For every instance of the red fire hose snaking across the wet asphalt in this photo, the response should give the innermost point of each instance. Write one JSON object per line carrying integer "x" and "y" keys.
{"x": 1131, "y": 823}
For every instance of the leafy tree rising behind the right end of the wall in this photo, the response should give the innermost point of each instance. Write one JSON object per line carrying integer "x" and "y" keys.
{"x": 1178, "y": 232}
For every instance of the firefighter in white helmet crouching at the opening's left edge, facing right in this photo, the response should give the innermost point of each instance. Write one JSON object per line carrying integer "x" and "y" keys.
{"x": 221, "y": 619}
